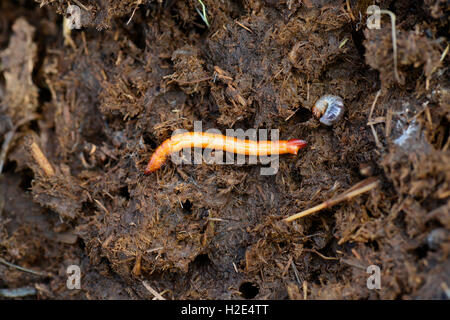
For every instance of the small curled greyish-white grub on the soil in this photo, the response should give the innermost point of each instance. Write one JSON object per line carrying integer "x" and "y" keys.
{"x": 330, "y": 109}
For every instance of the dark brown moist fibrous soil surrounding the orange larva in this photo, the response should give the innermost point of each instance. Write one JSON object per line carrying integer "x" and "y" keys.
{"x": 99, "y": 100}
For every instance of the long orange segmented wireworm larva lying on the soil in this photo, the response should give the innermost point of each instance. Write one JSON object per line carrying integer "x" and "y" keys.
{"x": 220, "y": 142}
